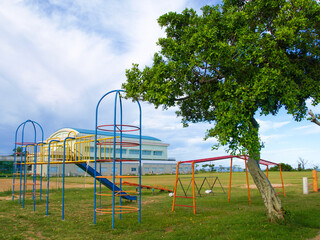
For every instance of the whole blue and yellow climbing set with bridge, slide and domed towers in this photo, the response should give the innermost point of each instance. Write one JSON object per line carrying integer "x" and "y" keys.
{"x": 73, "y": 149}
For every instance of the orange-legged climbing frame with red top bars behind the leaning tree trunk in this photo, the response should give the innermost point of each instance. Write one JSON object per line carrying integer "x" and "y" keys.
{"x": 262, "y": 162}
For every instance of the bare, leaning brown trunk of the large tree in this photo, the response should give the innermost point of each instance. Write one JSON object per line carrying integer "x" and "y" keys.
{"x": 269, "y": 196}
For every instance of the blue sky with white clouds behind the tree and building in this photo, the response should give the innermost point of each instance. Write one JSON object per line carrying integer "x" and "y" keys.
{"x": 59, "y": 57}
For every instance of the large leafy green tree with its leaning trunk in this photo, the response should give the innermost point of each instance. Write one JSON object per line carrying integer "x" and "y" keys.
{"x": 230, "y": 64}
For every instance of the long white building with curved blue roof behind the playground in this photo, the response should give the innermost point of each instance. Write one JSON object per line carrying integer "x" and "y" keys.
{"x": 154, "y": 155}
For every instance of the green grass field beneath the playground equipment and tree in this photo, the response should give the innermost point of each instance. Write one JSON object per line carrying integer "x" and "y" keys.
{"x": 215, "y": 218}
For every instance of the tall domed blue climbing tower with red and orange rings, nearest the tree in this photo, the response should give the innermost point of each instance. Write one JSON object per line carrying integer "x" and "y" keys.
{"x": 118, "y": 128}
